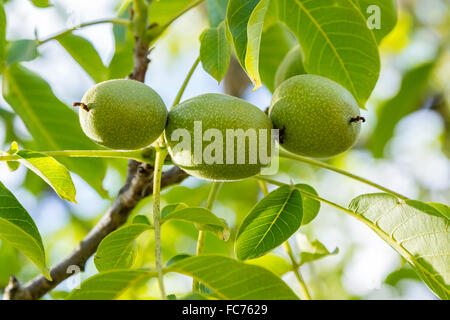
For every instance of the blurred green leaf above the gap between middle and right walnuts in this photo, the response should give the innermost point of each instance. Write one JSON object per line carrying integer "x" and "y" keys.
{"x": 276, "y": 42}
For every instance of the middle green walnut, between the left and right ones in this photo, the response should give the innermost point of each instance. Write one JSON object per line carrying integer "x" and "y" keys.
{"x": 219, "y": 137}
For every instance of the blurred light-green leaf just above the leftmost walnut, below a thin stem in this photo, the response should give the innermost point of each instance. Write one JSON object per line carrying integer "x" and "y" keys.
{"x": 83, "y": 52}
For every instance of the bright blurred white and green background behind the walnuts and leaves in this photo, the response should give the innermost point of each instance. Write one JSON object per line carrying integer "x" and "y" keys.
{"x": 404, "y": 145}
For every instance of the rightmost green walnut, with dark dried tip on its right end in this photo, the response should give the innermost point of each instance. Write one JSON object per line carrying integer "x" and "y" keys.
{"x": 316, "y": 116}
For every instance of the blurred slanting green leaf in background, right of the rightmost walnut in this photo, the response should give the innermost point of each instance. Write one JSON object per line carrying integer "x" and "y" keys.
{"x": 407, "y": 100}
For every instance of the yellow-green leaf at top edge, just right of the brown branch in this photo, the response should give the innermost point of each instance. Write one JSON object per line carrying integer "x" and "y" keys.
{"x": 163, "y": 12}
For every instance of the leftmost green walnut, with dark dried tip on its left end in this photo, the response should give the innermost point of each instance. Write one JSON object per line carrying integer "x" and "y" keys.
{"x": 122, "y": 114}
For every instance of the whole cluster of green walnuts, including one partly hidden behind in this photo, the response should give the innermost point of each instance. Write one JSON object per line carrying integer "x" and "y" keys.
{"x": 316, "y": 117}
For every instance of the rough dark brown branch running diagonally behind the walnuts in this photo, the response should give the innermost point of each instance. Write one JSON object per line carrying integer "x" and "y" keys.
{"x": 138, "y": 186}
